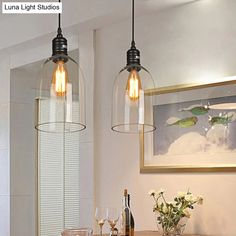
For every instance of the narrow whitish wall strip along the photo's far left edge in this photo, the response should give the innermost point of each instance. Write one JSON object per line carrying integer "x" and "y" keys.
{"x": 5, "y": 145}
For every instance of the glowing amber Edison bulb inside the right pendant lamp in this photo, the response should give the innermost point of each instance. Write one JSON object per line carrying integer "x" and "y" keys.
{"x": 133, "y": 85}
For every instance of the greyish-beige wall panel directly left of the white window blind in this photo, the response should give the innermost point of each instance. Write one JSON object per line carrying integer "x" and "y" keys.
{"x": 22, "y": 154}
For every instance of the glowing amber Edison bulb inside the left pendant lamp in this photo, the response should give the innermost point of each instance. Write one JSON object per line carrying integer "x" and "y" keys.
{"x": 60, "y": 79}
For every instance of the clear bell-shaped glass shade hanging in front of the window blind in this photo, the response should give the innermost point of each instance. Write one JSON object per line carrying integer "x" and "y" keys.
{"x": 60, "y": 99}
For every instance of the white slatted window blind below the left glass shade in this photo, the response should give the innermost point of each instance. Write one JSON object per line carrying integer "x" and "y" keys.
{"x": 58, "y": 182}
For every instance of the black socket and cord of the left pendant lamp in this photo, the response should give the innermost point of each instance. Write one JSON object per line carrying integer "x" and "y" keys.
{"x": 59, "y": 43}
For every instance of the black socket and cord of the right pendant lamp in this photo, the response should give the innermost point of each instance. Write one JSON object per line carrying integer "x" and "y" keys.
{"x": 133, "y": 54}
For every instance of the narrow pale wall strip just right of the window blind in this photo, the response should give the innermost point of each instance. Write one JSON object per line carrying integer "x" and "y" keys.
{"x": 86, "y": 62}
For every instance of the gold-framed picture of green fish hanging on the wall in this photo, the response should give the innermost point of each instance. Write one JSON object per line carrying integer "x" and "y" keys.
{"x": 196, "y": 129}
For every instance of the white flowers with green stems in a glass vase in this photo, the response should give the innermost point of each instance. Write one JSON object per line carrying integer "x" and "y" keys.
{"x": 171, "y": 216}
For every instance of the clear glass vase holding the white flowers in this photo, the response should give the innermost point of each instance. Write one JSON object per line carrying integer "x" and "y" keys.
{"x": 171, "y": 228}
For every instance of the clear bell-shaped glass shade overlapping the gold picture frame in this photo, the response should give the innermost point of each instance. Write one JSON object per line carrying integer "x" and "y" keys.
{"x": 132, "y": 110}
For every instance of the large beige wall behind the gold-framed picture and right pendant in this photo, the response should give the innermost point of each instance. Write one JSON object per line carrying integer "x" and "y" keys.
{"x": 191, "y": 43}
